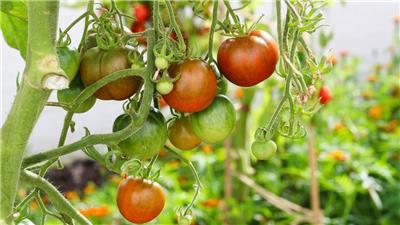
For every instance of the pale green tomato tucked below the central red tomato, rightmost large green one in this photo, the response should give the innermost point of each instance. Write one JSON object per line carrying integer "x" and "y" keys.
{"x": 216, "y": 122}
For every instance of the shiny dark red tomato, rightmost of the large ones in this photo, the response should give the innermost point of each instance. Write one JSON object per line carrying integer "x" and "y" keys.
{"x": 248, "y": 60}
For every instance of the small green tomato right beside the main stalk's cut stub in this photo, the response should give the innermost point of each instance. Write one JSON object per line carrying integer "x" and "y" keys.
{"x": 69, "y": 61}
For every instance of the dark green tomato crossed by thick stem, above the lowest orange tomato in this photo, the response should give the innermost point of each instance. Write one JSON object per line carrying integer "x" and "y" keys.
{"x": 148, "y": 140}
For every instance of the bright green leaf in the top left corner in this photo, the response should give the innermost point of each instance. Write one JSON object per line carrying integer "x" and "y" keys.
{"x": 14, "y": 24}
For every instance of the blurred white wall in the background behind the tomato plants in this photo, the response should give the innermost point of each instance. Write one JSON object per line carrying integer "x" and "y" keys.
{"x": 359, "y": 28}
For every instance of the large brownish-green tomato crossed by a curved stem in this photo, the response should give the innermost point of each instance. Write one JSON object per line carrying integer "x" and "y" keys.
{"x": 97, "y": 63}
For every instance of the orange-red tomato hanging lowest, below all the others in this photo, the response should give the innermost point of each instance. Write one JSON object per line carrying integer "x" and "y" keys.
{"x": 140, "y": 200}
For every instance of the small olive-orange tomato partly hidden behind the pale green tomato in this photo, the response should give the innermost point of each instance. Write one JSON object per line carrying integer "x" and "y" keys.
{"x": 181, "y": 134}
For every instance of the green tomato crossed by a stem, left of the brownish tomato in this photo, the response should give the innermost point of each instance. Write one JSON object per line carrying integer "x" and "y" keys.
{"x": 75, "y": 88}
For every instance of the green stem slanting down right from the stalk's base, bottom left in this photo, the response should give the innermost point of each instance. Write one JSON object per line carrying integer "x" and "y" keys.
{"x": 58, "y": 200}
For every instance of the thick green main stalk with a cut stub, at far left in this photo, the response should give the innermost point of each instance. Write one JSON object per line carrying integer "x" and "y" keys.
{"x": 41, "y": 61}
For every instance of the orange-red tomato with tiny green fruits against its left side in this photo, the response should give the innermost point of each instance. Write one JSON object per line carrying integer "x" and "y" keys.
{"x": 196, "y": 87}
